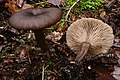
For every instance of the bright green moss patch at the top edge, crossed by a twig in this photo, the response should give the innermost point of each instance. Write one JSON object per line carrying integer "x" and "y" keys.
{"x": 86, "y": 4}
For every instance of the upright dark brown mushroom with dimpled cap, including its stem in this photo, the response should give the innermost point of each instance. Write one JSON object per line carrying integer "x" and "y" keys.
{"x": 36, "y": 19}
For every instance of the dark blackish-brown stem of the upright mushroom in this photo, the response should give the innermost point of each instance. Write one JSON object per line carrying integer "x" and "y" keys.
{"x": 40, "y": 38}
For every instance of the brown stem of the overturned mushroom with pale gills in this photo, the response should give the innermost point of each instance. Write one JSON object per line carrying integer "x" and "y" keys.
{"x": 83, "y": 51}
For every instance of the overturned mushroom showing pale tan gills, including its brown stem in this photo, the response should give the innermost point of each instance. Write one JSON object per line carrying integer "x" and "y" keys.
{"x": 89, "y": 36}
